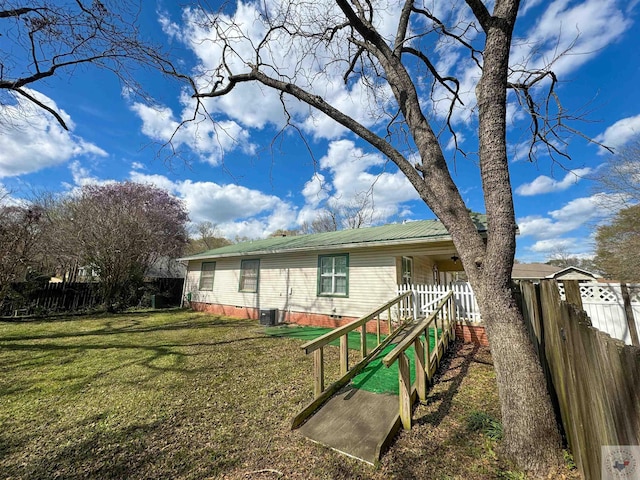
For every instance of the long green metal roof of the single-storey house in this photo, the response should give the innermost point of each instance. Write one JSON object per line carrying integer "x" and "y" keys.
{"x": 396, "y": 233}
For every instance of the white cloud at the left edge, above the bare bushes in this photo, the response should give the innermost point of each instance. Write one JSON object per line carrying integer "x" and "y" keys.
{"x": 33, "y": 139}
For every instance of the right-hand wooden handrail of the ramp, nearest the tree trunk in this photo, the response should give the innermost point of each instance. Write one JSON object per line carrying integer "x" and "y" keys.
{"x": 441, "y": 322}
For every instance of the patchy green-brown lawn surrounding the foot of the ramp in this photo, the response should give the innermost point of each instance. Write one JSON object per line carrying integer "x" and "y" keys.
{"x": 185, "y": 395}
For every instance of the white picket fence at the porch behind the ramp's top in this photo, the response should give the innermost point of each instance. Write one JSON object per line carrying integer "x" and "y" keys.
{"x": 427, "y": 295}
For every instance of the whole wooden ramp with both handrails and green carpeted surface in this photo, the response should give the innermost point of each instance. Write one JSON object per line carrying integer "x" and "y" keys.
{"x": 350, "y": 417}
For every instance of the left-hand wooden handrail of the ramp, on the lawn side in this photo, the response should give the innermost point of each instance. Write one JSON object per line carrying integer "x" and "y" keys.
{"x": 402, "y": 303}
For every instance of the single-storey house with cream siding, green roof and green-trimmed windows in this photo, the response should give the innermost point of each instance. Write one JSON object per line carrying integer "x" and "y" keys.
{"x": 321, "y": 279}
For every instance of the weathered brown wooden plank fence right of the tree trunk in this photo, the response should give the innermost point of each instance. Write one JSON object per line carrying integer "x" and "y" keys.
{"x": 595, "y": 378}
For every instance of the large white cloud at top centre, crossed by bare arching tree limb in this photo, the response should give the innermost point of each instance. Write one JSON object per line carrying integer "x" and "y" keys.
{"x": 309, "y": 63}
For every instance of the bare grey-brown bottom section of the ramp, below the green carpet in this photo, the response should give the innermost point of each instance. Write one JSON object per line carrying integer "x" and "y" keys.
{"x": 355, "y": 422}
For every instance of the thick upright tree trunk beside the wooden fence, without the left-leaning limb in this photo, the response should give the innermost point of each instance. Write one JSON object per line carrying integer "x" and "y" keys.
{"x": 531, "y": 434}
